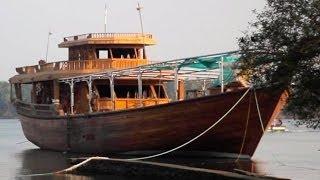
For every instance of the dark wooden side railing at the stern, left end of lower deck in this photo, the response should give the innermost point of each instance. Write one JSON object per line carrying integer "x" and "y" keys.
{"x": 25, "y": 108}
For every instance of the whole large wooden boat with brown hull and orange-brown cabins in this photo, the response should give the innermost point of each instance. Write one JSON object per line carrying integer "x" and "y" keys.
{"x": 108, "y": 98}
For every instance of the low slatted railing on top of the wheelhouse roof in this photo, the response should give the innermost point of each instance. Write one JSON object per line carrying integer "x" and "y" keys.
{"x": 106, "y": 35}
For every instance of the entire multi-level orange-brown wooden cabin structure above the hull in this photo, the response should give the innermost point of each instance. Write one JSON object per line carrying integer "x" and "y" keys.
{"x": 89, "y": 53}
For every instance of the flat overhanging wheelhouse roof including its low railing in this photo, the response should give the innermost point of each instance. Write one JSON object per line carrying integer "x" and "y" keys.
{"x": 108, "y": 39}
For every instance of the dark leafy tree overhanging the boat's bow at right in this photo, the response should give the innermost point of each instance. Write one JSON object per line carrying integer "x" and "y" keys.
{"x": 283, "y": 48}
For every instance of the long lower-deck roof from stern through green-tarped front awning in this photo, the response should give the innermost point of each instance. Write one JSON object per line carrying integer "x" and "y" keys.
{"x": 193, "y": 68}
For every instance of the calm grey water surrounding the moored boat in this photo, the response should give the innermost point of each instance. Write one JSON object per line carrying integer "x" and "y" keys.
{"x": 294, "y": 154}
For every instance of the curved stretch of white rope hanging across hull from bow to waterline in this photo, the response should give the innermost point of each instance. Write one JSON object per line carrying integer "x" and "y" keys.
{"x": 195, "y": 138}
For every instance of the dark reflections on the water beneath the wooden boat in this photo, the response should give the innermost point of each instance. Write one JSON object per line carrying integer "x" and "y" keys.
{"x": 36, "y": 161}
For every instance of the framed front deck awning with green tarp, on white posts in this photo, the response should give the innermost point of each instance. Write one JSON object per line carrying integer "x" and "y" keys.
{"x": 193, "y": 68}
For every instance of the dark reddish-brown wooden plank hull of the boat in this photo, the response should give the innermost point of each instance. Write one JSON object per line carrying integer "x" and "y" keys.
{"x": 162, "y": 127}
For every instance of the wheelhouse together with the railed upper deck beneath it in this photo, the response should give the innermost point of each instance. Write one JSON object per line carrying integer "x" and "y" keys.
{"x": 90, "y": 53}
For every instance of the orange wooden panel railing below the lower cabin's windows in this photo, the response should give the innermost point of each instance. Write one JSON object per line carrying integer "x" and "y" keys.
{"x": 127, "y": 103}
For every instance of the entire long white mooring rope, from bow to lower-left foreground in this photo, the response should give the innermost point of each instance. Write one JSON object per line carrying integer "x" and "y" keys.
{"x": 151, "y": 156}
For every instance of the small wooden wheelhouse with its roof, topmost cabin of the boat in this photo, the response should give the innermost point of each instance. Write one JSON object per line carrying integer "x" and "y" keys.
{"x": 117, "y": 46}
